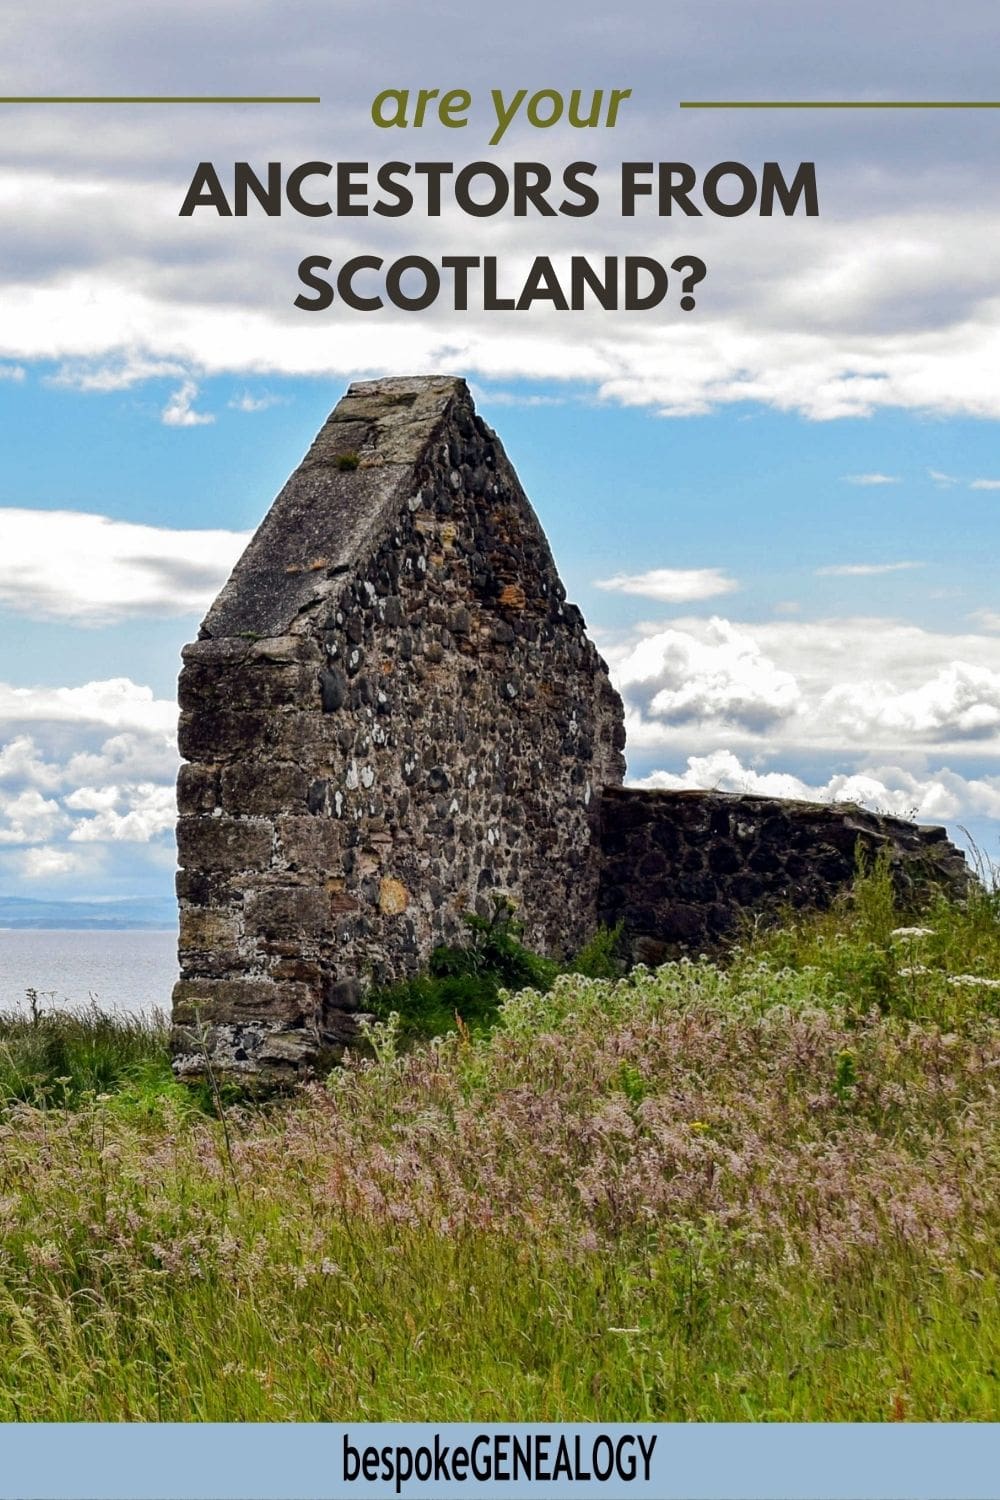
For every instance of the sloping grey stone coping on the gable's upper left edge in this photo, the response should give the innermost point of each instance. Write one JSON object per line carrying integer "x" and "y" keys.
{"x": 338, "y": 506}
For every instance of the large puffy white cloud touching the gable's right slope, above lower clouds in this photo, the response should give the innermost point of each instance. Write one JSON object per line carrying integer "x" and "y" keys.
{"x": 827, "y": 686}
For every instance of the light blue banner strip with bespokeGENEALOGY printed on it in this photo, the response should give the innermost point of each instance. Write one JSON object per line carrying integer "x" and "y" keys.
{"x": 561, "y": 1462}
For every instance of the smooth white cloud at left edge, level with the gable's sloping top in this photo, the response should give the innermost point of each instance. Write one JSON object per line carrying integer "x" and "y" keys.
{"x": 68, "y": 565}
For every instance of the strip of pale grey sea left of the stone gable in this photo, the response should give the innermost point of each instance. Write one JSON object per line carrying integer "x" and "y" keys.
{"x": 119, "y": 971}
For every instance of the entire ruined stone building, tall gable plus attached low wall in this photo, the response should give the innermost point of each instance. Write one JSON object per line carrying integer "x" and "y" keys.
{"x": 392, "y": 716}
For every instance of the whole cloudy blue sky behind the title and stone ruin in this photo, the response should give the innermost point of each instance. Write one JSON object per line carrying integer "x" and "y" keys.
{"x": 779, "y": 511}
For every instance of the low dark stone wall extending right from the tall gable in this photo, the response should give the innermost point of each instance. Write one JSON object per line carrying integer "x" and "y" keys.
{"x": 683, "y": 868}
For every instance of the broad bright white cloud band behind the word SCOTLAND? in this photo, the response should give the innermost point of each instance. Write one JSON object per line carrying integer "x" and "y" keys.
{"x": 831, "y": 328}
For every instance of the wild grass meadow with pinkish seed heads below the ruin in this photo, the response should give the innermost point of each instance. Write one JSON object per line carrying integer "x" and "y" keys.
{"x": 764, "y": 1190}
